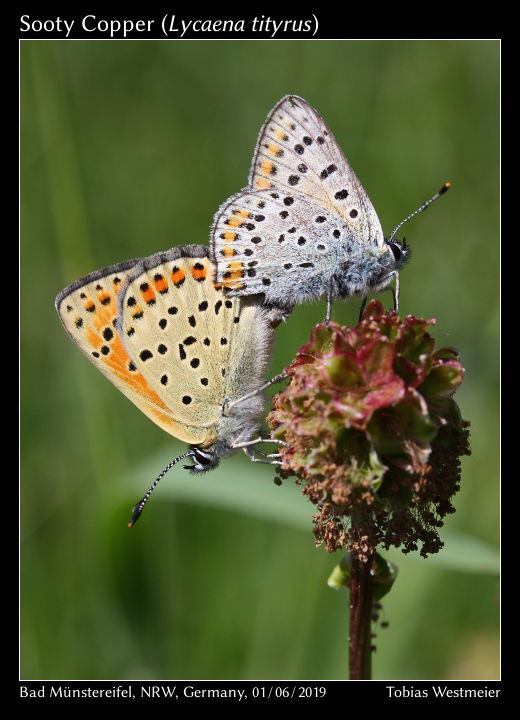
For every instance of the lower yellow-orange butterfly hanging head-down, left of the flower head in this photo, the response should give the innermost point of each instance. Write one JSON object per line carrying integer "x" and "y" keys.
{"x": 192, "y": 360}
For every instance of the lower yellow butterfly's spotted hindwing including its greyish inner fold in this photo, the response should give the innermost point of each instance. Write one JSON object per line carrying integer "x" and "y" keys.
{"x": 193, "y": 345}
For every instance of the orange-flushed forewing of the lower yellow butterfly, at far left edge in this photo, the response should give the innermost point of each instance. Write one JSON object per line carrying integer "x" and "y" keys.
{"x": 88, "y": 311}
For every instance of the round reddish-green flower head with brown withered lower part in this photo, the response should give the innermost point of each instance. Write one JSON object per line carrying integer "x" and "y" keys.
{"x": 373, "y": 432}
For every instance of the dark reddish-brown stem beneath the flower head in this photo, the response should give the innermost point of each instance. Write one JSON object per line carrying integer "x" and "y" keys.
{"x": 361, "y": 597}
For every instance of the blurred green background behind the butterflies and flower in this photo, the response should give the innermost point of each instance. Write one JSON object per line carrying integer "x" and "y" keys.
{"x": 128, "y": 148}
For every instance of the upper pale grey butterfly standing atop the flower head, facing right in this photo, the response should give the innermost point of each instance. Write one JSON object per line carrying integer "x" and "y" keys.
{"x": 304, "y": 228}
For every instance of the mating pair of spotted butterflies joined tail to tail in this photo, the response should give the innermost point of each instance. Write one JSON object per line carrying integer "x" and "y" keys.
{"x": 186, "y": 334}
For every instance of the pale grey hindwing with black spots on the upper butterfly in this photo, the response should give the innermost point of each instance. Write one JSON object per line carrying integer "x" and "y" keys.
{"x": 266, "y": 241}
